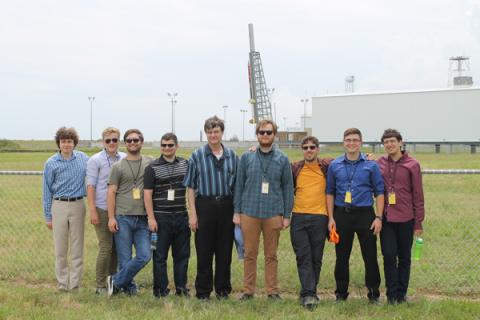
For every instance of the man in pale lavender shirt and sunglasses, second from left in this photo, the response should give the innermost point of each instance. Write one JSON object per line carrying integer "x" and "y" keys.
{"x": 98, "y": 170}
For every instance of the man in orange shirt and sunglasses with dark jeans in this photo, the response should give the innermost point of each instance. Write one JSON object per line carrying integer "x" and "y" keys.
{"x": 309, "y": 226}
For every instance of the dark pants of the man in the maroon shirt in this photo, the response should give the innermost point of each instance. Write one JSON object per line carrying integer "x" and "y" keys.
{"x": 396, "y": 240}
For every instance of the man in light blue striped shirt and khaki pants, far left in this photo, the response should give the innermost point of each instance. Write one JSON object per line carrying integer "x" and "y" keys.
{"x": 64, "y": 208}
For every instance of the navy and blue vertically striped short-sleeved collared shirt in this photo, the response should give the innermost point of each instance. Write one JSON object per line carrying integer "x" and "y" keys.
{"x": 210, "y": 176}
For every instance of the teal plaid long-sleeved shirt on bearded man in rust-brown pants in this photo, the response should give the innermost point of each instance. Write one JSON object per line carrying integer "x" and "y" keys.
{"x": 256, "y": 168}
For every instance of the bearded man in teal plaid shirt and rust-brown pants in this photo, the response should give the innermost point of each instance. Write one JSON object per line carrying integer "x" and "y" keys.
{"x": 263, "y": 204}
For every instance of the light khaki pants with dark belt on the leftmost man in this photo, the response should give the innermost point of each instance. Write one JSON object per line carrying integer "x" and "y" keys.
{"x": 68, "y": 220}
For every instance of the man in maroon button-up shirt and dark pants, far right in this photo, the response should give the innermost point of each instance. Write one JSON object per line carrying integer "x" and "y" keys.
{"x": 403, "y": 214}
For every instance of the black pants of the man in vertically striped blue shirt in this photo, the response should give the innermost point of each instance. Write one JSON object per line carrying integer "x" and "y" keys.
{"x": 214, "y": 237}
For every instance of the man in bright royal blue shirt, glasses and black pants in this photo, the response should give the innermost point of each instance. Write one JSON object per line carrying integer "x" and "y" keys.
{"x": 352, "y": 181}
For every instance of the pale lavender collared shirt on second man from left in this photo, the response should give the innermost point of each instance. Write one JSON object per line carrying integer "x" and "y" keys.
{"x": 98, "y": 170}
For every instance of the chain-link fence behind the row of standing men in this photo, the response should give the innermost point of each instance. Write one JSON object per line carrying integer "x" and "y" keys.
{"x": 450, "y": 263}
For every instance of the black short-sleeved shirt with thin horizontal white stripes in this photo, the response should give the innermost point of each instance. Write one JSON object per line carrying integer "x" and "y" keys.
{"x": 160, "y": 176}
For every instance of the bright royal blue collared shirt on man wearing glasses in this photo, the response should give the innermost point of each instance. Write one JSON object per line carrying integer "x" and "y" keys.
{"x": 361, "y": 177}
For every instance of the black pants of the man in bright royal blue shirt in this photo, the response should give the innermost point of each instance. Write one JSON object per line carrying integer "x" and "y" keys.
{"x": 349, "y": 223}
